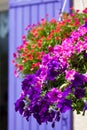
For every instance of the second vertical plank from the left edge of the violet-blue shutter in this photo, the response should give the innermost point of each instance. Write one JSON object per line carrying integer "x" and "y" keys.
{"x": 18, "y": 21}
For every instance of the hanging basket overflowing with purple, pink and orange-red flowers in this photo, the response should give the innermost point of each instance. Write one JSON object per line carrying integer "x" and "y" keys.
{"x": 53, "y": 64}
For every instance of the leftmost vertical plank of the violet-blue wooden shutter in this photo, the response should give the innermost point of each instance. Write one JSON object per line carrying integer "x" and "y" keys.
{"x": 11, "y": 83}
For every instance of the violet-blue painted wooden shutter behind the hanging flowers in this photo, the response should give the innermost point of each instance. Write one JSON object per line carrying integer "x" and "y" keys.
{"x": 22, "y": 13}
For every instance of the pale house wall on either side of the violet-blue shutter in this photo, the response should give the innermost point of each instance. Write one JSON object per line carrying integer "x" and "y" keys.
{"x": 79, "y": 120}
